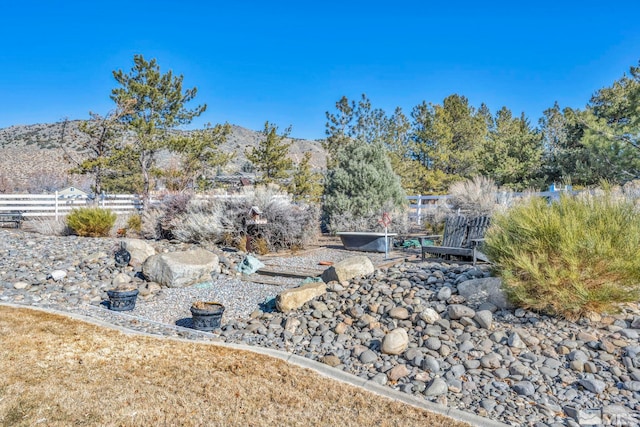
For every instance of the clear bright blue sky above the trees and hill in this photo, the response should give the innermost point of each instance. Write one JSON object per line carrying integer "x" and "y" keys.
{"x": 288, "y": 62}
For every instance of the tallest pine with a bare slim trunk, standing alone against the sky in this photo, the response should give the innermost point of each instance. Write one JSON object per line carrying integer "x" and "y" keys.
{"x": 158, "y": 105}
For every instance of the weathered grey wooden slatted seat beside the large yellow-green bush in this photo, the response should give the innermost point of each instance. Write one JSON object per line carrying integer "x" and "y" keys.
{"x": 462, "y": 238}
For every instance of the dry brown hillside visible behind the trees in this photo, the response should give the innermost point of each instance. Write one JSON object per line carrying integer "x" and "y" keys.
{"x": 31, "y": 156}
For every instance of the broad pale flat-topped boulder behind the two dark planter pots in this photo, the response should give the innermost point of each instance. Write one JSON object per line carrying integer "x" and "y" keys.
{"x": 181, "y": 269}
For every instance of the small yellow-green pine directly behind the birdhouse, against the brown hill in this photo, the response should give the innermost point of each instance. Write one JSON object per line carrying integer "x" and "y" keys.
{"x": 271, "y": 156}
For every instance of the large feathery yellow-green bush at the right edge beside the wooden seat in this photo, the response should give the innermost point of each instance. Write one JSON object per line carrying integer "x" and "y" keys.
{"x": 569, "y": 257}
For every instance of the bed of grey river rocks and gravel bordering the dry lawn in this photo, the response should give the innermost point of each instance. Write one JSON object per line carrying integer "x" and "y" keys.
{"x": 407, "y": 327}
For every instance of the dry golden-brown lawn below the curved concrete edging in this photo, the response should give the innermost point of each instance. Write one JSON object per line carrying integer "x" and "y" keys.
{"x": 58, "y": 371}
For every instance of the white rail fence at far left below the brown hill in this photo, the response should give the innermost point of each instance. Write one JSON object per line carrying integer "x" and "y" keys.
{"x": 55, "y": 205}
